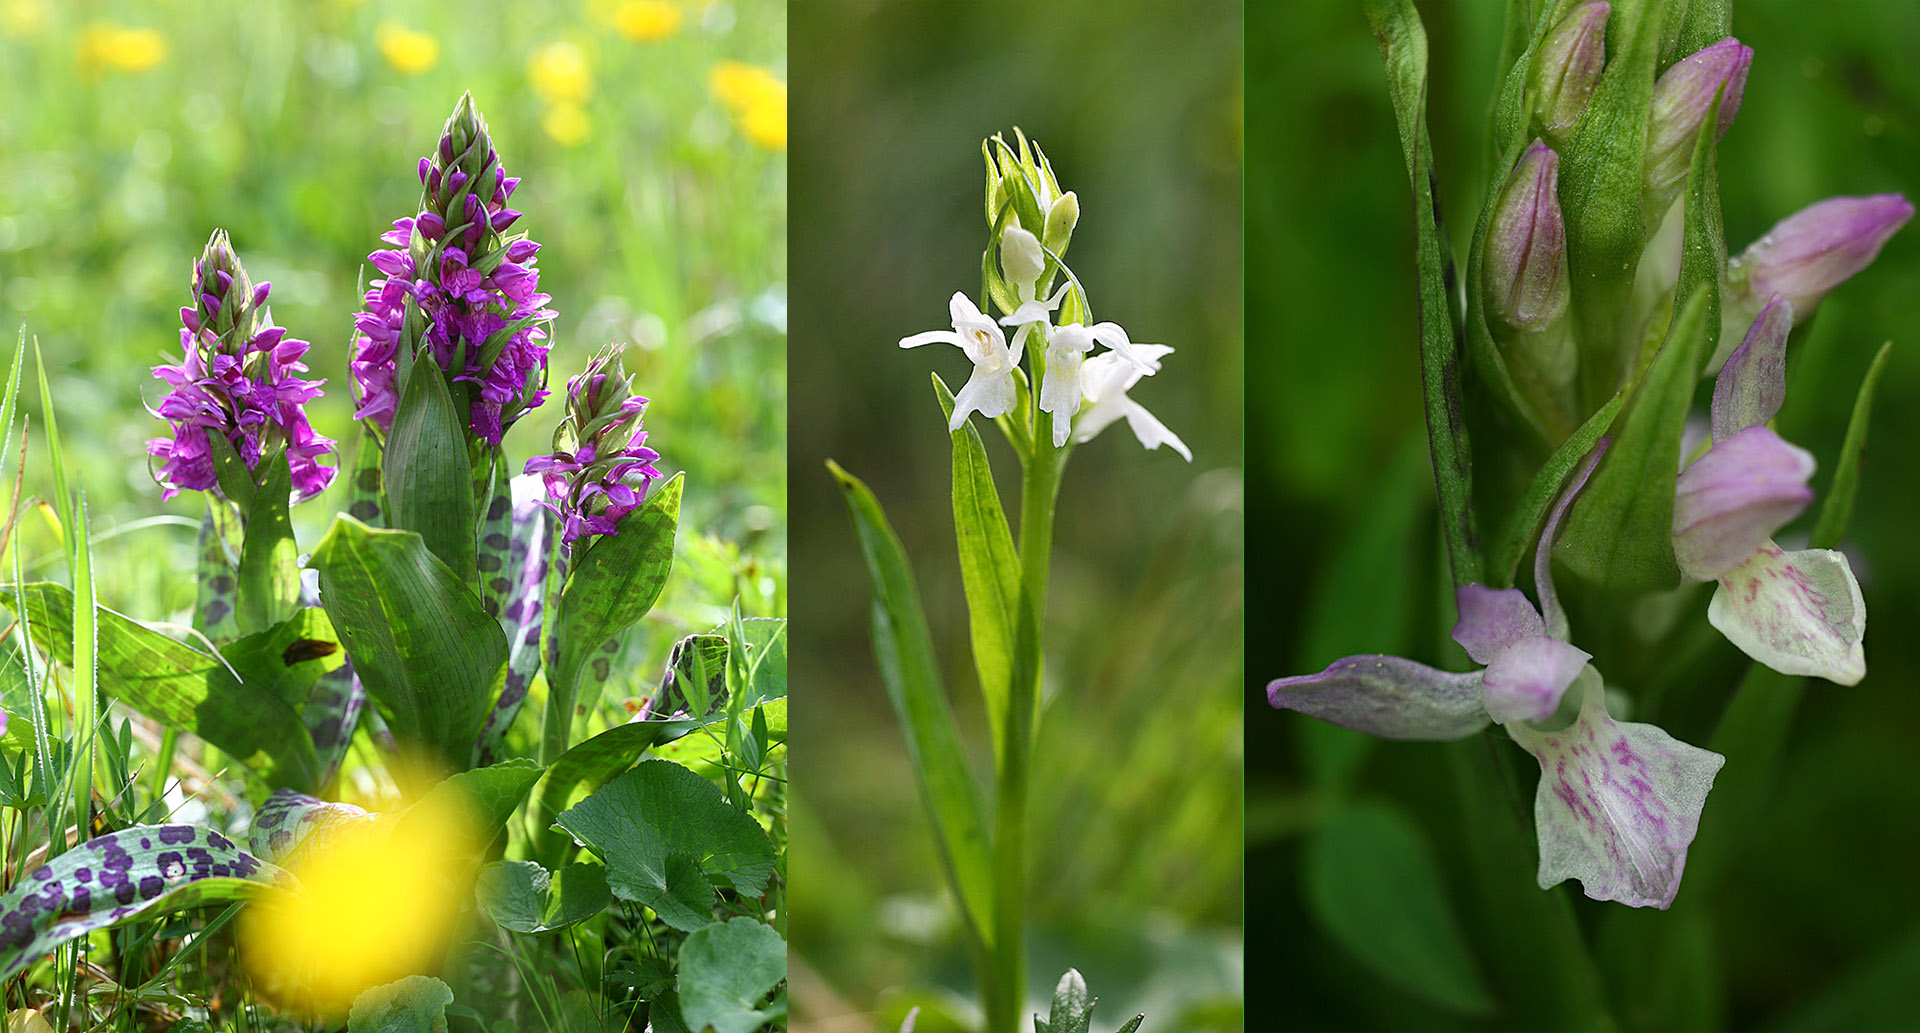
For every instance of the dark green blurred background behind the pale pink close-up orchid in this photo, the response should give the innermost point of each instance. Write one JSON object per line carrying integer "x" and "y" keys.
{"x": 1815, "y": 921}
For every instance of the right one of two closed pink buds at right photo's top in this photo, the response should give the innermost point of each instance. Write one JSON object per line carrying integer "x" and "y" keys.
{"x": 1681, "y": 103}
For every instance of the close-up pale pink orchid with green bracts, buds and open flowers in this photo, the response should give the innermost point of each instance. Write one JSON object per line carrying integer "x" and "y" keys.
{"x": 1598, "y": 297}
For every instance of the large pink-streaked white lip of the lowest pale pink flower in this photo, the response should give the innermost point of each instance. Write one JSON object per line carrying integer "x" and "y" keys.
{"x": 1618, "y": 804}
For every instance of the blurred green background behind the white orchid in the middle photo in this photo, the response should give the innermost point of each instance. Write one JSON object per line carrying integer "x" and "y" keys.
{"x": 1138, "y": 809}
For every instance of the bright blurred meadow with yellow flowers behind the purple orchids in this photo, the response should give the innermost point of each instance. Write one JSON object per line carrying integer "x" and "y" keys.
{"x": 650, "y": 135}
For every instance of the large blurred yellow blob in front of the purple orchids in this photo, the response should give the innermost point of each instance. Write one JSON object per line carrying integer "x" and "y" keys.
{"x": 377, "y": 901}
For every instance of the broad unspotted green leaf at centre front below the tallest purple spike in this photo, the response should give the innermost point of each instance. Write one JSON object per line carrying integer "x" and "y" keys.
{"x": 421, "y": 644}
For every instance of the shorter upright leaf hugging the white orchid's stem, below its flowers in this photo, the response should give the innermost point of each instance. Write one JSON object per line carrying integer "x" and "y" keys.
{"x": 990, "y": 567}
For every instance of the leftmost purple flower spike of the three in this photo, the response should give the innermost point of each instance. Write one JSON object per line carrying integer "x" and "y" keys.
{"x": 239, "y": 379}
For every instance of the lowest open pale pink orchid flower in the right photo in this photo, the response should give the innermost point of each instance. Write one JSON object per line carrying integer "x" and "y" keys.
{"x": 1618, "y": 804}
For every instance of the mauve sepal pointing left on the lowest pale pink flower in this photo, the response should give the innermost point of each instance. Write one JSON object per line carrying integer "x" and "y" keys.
{"x": 1387, "y": 696}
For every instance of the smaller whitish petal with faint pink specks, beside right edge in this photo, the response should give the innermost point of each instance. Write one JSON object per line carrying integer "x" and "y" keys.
{"x": 1798, "y": 613}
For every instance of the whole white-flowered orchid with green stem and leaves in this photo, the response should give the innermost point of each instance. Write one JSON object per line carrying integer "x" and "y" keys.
{"x": 1051, "y": 379}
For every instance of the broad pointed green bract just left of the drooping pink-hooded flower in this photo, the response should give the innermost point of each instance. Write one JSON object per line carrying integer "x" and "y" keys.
{"x": 1621, "y": 531}
